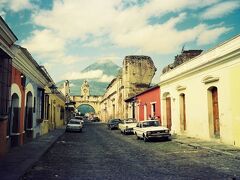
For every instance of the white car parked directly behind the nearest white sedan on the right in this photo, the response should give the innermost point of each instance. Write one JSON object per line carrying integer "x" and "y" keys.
{"x": 126, "y": 125}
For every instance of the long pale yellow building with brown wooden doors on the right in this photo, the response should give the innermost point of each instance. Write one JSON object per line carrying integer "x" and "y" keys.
{"x": 200, "y": 98}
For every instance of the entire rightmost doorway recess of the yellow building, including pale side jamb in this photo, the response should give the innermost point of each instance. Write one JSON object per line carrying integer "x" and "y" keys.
{"x": 213, "y": 112}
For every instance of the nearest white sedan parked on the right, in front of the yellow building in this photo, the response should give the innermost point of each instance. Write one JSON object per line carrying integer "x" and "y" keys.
{"x": 150, "y": 129}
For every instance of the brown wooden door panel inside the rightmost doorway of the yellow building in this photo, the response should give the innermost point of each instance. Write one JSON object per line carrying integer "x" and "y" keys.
{"x": 215, "y": 112}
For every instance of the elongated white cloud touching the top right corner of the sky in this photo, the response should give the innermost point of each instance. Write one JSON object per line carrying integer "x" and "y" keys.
{"x": 220, "y": 10}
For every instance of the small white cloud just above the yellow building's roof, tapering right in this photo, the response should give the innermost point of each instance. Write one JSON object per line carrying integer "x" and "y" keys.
{"x": 211, "y": 35}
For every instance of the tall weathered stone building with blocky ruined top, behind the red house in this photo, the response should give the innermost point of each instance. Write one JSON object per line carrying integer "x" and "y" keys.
{"x": 135, "y": 76}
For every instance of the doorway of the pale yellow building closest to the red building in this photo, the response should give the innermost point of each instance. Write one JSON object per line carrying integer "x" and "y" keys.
{"x": 167, "y": 111}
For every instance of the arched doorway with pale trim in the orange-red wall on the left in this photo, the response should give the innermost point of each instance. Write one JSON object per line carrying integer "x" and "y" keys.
{"x": 14, "y": 122}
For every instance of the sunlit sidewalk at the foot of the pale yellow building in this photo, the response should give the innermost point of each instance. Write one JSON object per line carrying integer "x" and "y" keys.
{"x": 209, "y": 145}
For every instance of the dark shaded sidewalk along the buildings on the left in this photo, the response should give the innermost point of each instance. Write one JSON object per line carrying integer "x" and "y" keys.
{"x": 20, "y": 158}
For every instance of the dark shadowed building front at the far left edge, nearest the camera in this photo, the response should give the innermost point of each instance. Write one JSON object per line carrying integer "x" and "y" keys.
{"x": 7, "y": 39}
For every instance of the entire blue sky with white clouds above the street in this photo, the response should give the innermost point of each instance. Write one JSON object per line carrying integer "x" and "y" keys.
{"x": 68, "y": 35}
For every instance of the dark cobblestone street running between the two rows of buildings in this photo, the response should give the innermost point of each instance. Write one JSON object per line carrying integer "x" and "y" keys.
{"x": 98, "y": 153}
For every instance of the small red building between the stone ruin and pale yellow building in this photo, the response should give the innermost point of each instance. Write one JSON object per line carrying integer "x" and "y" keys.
{"x": 146, "y": 104}
